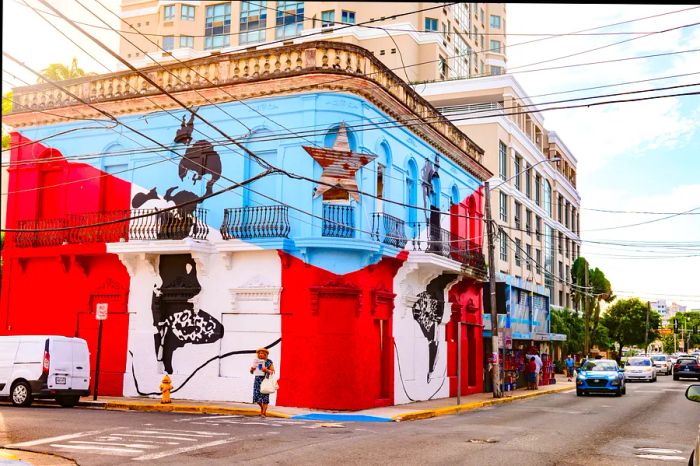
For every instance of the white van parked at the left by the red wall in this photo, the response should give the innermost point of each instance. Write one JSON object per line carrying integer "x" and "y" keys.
{"x": 44, "y": 366}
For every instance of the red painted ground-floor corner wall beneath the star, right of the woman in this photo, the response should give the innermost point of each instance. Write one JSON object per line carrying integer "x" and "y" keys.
{"x": 333, "y": 355}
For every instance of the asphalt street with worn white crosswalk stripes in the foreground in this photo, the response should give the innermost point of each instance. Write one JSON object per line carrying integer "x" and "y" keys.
{"x": 652, "y": 424}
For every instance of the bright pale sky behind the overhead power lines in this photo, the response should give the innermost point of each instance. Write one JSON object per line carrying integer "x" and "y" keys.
{"x": 632, "y": 157}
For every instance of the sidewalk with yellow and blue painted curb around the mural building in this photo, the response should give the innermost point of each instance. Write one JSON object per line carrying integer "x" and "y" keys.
{"x": 405, "y": 412}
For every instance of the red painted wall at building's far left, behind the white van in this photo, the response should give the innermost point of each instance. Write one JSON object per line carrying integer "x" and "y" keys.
{"x": 54, "y": 289}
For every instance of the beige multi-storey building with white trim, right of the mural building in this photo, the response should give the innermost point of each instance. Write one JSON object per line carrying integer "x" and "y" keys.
{"x": 534, "y": 197}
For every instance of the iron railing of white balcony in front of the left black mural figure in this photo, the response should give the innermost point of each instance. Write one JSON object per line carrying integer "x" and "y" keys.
{"x": 174, "y": 224}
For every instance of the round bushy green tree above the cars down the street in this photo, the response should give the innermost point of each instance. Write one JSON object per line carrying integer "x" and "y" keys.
{"x": 625, "y": 321}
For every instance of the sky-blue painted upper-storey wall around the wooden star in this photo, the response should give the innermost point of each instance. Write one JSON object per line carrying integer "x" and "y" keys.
{"x": 397, "y": 148}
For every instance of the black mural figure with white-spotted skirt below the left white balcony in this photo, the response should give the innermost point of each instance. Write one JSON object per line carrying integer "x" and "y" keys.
{"x": 175, "y": 317}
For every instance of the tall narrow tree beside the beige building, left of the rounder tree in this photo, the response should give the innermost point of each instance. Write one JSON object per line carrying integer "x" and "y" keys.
{"x": 591, "y": 287}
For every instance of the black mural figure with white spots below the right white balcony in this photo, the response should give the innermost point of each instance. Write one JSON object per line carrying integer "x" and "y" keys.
{"x": 428, "y": 311}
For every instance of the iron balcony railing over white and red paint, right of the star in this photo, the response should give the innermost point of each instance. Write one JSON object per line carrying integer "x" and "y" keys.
{"x": 437, "y": 240}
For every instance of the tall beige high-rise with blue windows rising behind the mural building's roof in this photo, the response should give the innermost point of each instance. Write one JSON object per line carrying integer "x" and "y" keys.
{"x": 420, "y": 41}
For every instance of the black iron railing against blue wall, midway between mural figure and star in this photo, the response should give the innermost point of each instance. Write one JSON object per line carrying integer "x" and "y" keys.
{"x": 256, "y": 222}
